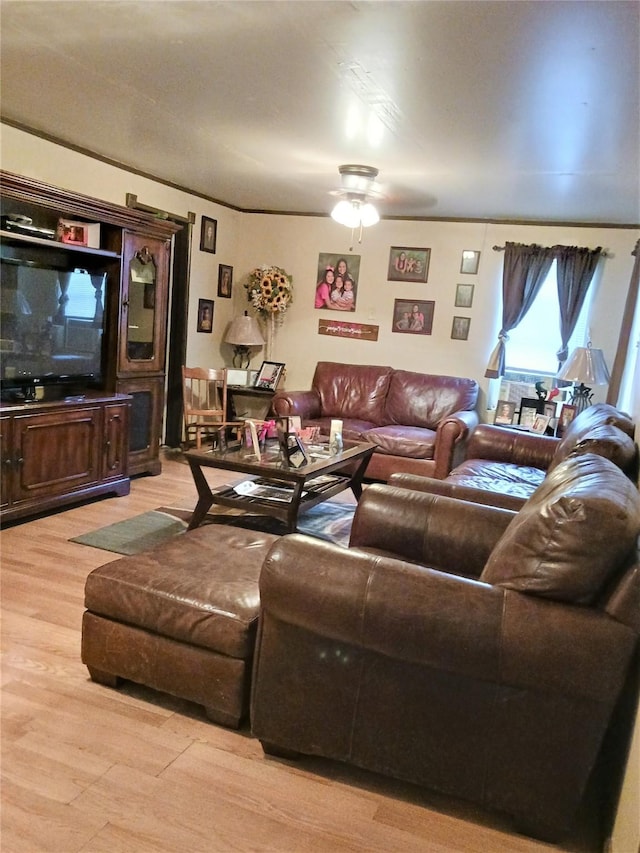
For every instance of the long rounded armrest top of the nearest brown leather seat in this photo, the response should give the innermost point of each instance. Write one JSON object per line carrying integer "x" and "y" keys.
{"x": 426, "y": 617}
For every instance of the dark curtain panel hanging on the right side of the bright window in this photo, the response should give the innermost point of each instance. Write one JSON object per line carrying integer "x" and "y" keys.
{"x": 575, "y": 269}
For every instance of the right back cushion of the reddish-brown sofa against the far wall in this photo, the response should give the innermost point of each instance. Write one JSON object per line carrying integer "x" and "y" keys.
{"x": 423, "y": 400}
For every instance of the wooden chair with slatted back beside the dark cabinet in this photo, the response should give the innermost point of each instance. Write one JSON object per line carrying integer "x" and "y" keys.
{"x": 204, "y": 395}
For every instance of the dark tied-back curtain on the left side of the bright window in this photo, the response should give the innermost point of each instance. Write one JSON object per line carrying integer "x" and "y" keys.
{"x": 525, "y": 269}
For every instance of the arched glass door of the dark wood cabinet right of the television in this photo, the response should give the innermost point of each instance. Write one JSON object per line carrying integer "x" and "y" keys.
{"x": 143, "y": 308}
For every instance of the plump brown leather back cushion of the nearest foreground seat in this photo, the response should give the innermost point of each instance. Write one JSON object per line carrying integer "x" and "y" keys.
{"x": 571, "y": 535}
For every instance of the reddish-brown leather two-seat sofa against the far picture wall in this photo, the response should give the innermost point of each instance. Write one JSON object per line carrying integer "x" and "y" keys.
{"x": 418, "y": 422}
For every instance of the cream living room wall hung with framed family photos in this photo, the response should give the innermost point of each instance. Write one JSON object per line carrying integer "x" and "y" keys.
{"x": 295, "y": 242}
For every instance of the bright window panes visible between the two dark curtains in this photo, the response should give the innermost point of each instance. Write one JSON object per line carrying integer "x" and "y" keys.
{"x": 533, "y": 344}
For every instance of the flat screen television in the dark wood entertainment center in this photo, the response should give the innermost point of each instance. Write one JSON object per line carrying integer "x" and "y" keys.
{"x": 51, "y": 328}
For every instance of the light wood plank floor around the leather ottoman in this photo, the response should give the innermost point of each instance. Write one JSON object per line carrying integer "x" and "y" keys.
{"x": 86, "y": 768}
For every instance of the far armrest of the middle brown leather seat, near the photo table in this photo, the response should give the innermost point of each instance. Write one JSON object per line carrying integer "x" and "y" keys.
{"x": 501, "y": 444}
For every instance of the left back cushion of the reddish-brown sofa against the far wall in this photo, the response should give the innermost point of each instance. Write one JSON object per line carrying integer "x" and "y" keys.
{"x": 352, "y": 390}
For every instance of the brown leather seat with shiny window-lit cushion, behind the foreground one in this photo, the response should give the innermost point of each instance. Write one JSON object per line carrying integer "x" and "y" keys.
{"x": 504, "y": 466}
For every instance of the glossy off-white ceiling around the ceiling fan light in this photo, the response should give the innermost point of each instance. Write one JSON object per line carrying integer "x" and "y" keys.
{"x": 519, "y": 109}
